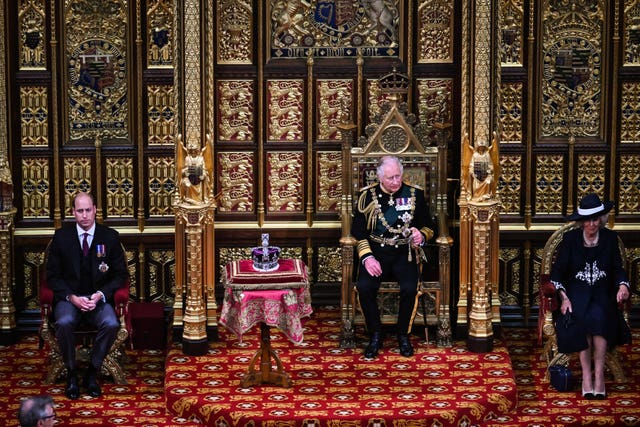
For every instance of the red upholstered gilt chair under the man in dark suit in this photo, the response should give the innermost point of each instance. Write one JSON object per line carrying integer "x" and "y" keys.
{"x": 112, "y": 365}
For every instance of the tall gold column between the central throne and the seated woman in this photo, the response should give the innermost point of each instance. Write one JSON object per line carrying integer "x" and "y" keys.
{"x": 479, "y": 201}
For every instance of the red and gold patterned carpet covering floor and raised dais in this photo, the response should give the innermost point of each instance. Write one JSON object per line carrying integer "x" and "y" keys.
{"x": 331, "y": 386}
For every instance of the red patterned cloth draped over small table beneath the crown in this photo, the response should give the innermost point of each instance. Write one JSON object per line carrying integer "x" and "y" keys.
{"x": 277, "y": 298}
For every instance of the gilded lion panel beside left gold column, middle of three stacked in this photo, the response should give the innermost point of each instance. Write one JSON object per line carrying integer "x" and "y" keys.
{"x": 236, "y": 110}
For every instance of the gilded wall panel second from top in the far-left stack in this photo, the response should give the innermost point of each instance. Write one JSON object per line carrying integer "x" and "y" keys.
{"x": 34, "y": 116}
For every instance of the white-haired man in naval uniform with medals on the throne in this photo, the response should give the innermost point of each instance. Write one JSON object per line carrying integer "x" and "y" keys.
{"x": 390, "y": 220}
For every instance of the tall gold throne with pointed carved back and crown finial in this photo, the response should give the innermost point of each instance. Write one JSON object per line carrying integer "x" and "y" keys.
{"x": 424, "y": 158}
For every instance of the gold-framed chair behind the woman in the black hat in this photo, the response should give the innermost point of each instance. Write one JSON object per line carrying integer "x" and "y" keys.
{"x": 549, "y": 303}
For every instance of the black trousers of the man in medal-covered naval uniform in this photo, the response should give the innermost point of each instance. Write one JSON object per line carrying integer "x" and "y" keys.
{"x": 395, "y": 265}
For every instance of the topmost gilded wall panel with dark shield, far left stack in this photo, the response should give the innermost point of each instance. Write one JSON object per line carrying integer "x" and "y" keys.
{"x": 32, "y": 30}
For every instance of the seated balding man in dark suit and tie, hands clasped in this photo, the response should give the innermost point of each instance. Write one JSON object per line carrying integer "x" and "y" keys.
{"x": 85, "y": 266}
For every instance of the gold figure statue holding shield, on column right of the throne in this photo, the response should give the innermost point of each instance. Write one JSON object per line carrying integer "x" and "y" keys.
{"x": 480, "y": 169}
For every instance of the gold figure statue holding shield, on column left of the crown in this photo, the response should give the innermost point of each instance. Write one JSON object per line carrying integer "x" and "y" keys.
{"x": 195, "y": 166}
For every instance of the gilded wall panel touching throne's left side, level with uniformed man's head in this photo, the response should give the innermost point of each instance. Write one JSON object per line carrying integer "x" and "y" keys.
{"x": 329, "y": 187}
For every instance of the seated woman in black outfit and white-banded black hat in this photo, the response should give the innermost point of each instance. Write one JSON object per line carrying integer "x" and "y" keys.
{"x": 590, "y": 278}
